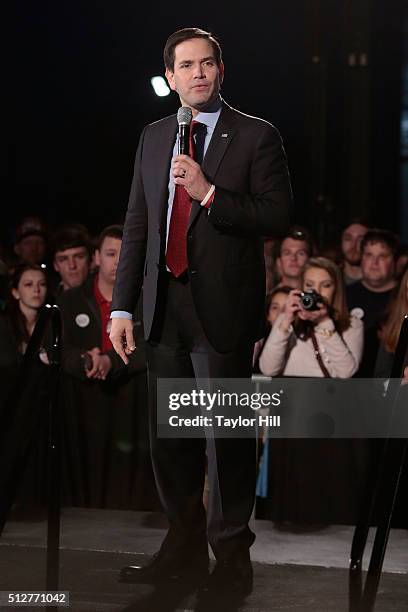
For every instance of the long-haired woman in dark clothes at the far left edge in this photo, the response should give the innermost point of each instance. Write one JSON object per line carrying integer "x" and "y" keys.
{"x": 23, "y": 398}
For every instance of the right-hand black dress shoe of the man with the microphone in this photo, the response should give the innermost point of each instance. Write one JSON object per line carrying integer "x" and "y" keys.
{"x": 232, "y": 577}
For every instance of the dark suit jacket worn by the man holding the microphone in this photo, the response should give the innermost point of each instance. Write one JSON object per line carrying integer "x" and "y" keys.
{"x": 247, "y": 164}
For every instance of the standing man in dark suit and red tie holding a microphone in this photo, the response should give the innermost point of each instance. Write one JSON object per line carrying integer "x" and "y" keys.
{"x": 203, "y": 285}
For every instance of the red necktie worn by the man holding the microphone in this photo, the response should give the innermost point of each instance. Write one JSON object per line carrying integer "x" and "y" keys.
{"x": 176, "y": 254}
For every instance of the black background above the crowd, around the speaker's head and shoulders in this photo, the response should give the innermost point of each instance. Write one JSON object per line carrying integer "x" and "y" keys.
{"x": 328, "y": 74}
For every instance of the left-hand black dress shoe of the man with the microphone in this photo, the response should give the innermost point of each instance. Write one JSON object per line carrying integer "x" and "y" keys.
{"x": 165, "y": 567}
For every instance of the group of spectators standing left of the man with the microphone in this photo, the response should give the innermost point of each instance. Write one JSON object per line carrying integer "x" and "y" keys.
{"x": 102, "y": 403}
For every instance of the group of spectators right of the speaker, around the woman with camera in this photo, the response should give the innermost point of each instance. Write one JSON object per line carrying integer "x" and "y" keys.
{"x": 362, "y": 296}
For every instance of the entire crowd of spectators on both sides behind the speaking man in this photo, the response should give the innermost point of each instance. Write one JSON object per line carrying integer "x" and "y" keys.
{"x": 329, "y": 313}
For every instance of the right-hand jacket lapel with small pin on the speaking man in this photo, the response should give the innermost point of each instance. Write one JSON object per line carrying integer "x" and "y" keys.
{"x": 220, "y": 141}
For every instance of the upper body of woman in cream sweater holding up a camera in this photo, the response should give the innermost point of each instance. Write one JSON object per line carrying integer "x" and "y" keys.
{"x": 315, "y": 335}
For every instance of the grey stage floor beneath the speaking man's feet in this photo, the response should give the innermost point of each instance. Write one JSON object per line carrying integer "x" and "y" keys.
{"x": 296, "y": 569}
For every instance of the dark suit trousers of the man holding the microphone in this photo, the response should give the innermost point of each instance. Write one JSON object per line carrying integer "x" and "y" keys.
{"x": 178, "y": 348}
